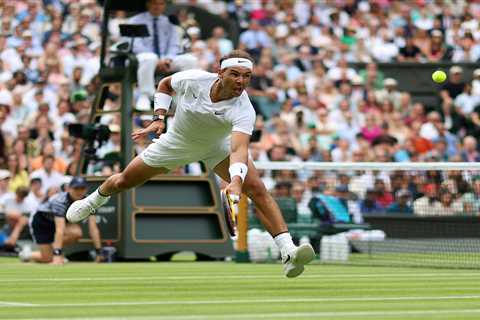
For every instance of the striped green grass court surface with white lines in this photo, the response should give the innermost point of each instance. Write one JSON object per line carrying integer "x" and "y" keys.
{"x": 190, "y": 290}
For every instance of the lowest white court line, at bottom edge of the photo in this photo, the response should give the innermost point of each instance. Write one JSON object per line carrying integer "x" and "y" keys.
{"x": 291, "y": 315}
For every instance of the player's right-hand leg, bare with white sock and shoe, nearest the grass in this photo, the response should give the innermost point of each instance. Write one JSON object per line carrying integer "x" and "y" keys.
{"x": 294, "y": 258}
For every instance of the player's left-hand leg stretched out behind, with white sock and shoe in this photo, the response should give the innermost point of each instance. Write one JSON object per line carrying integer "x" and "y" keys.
{"x": 136, "y": 173}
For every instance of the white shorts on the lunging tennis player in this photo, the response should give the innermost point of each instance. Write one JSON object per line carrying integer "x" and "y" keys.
{"x": 167, "y": 152}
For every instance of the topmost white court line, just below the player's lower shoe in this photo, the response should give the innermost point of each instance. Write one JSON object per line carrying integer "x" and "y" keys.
{"x": 188, "y": 278}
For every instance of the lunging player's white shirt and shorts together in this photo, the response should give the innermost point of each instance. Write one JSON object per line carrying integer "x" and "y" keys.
{"x": 200, "y": 129}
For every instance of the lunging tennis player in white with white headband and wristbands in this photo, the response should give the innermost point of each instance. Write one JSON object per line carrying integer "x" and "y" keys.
{"x": 213, "y": 123}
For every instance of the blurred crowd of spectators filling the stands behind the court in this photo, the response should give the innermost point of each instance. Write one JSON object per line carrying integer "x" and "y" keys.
{"x": 311, "y": 104}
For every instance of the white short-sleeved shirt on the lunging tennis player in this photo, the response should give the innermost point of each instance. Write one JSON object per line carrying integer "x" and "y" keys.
{"x": 199, "y": 120}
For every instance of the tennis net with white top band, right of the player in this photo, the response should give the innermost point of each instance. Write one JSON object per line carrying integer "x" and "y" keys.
{"x": 399, "y": 214}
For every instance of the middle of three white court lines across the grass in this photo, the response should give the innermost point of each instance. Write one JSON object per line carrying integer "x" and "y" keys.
{"x": 244, "y": 301}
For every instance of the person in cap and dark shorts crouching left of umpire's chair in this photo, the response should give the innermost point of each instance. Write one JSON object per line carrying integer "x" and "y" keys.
{"x": 51, "y": 231}
